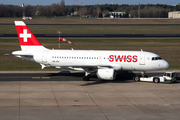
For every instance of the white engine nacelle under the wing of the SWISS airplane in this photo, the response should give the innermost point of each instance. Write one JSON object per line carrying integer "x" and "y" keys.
{"x": 106, "y": 74}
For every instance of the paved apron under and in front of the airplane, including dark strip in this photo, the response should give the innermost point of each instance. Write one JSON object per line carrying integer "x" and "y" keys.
{"x": 64, "y": 96}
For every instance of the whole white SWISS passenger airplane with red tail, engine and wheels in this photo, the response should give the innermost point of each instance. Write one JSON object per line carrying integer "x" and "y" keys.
{"x": 105, "y": 63}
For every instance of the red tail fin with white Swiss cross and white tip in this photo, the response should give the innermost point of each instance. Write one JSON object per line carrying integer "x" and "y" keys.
{"x": 26, "y": 38}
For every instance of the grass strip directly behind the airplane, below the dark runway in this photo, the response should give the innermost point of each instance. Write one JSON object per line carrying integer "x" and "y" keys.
{"x": 168, "y": 49}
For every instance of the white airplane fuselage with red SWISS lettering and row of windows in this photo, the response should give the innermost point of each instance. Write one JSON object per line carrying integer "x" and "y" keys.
{"x": 118, "y": 60}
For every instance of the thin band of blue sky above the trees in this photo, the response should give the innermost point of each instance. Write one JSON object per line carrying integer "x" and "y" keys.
{"x": 89, "y": 2}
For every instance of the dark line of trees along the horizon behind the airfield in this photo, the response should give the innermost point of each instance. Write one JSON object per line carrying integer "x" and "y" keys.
{"x": 60, "y": 9}
